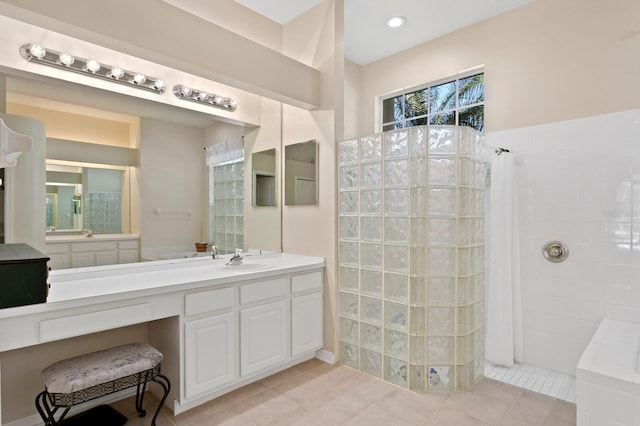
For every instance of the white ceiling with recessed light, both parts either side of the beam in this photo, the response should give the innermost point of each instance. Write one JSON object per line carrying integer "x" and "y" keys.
{"x": 368, "y": 39}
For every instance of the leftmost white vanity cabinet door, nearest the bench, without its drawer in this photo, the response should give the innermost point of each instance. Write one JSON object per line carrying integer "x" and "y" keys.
{"x": 208, "y": 353}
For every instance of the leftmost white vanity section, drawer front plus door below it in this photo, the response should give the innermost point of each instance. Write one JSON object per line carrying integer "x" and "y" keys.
{"x": 209, "y": 341}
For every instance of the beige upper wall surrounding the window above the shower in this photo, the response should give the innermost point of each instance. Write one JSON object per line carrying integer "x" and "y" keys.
{"x": 544, "y": 62}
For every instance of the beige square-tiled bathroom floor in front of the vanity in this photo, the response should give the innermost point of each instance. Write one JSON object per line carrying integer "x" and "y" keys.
{"x": 315, "y": 393}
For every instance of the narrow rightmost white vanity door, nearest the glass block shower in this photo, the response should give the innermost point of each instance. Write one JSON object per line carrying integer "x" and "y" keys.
{"x": 306, "y": 323}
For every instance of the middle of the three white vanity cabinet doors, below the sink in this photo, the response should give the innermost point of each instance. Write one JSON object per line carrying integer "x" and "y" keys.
{"x": 264, "y": 336}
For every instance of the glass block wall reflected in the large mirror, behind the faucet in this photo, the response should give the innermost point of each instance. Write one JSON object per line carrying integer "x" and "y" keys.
{"x": 227, "y": 195}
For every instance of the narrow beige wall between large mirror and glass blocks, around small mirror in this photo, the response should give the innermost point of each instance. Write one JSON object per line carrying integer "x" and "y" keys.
{"x": 316, "y": 38}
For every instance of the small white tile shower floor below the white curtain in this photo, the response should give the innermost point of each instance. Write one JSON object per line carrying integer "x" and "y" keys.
{"x": 546, "y": 382}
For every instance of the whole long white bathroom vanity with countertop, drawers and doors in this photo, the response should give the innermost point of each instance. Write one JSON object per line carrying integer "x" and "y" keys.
{"x": 219, "y": 326}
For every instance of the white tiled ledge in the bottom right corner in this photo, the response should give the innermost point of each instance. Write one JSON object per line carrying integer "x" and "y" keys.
{"x": 608, "y": 380}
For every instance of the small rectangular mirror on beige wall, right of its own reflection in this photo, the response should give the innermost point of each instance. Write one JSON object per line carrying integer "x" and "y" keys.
{"x": 301, "y": 173}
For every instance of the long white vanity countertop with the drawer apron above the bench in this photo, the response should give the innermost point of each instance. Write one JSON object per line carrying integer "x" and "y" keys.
{"x": 105, "y": 297}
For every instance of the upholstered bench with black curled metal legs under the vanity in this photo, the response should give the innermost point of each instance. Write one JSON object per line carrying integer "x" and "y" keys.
{"x": 75, "y": 380}
